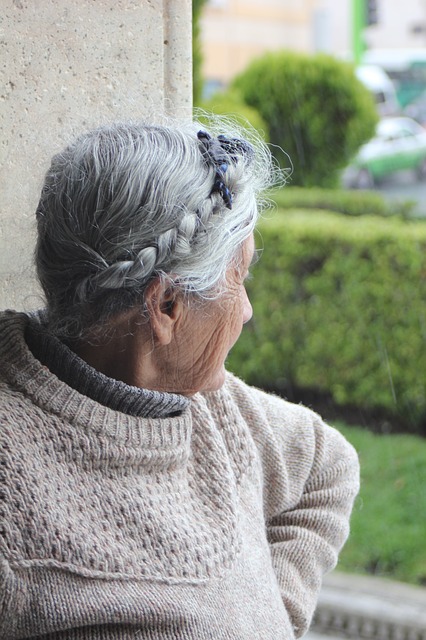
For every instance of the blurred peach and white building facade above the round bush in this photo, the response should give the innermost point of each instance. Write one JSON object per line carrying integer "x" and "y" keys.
{"x": 236, "y": 31}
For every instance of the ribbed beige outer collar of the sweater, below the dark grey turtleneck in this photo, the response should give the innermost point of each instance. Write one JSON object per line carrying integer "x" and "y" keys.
{"x": 163, "y": 441}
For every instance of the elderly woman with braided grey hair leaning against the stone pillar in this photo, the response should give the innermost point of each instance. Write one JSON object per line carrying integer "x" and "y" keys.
{"x": 147, "y": 493}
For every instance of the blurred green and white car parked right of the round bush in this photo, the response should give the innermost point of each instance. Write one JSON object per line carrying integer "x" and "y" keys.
{"x": 399, "y": 143}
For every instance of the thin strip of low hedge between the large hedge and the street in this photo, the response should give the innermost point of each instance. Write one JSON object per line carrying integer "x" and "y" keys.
{"x": 352, "y": 203}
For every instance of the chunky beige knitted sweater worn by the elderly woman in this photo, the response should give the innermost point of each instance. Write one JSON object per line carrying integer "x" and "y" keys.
{"x": 214, "y": 523}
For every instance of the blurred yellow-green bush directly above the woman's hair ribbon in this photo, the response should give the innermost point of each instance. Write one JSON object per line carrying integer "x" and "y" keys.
{"x": 231, "y": 104}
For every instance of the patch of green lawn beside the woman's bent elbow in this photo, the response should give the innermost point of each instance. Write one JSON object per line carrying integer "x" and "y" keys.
{"x": 388, "y": 526}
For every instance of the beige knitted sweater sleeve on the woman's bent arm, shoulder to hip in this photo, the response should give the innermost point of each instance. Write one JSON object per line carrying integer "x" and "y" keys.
{"x": 310, "y": 480}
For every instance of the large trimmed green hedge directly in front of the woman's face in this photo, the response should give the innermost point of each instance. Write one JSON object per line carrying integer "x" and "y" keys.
{"x": 339, "y": 308}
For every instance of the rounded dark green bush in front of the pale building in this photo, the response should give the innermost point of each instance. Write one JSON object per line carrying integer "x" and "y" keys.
{"x": 316, "y": 110}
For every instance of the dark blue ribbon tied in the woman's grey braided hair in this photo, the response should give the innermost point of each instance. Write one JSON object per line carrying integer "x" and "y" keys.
{"x": 219, "y": 151}
